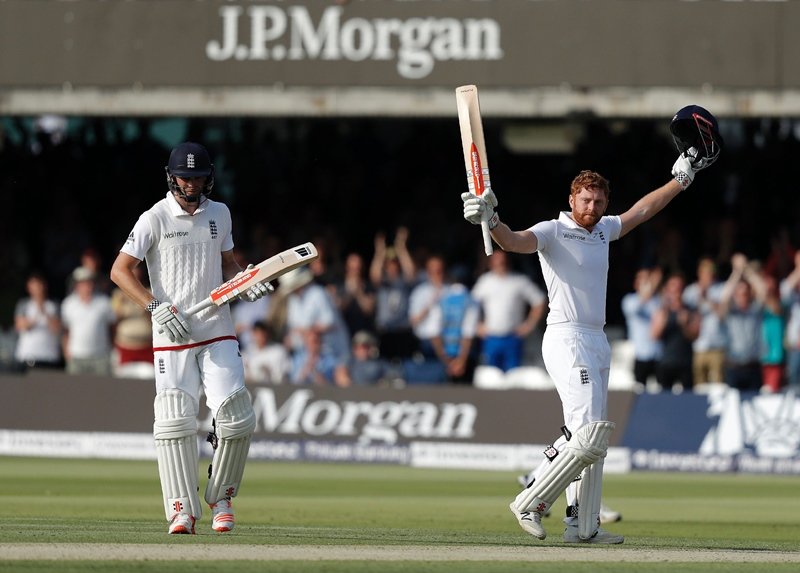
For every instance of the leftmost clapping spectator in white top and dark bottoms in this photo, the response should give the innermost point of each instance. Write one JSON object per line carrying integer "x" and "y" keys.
{"x": 38, "y": 326}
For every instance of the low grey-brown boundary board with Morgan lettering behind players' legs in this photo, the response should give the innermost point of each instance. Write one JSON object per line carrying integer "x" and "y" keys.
{"x": 430, "y": 426}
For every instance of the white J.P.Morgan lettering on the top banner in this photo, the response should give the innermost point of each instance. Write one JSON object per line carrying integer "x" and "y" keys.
{"x": 264, "y": 32}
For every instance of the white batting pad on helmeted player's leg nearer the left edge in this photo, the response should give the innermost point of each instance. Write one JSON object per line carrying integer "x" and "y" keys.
{"x": 175, "y": 432}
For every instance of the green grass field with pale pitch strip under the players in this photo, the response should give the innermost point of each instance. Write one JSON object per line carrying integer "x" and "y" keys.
{"x": 93, "y": 515}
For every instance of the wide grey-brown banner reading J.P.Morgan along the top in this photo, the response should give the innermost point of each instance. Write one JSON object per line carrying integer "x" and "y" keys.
{"x": 140, "y": 44}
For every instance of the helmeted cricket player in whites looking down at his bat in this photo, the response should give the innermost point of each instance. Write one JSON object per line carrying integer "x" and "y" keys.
{"x": 186, "y": 241}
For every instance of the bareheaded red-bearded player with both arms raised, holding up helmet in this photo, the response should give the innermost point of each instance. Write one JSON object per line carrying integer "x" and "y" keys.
{"x": 573, "y": 252}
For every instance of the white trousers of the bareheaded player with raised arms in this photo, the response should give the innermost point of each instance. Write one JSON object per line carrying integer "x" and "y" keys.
{"x": 578, "y": 359}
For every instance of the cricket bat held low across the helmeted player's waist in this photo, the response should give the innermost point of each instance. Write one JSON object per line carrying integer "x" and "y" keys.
{"x": 265, "y": 271}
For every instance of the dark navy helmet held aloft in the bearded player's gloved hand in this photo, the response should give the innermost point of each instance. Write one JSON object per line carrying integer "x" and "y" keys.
{"x": 696, "y": 135}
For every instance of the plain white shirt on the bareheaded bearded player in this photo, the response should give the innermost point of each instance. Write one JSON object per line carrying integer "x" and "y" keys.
{"x": 575, "y": 268}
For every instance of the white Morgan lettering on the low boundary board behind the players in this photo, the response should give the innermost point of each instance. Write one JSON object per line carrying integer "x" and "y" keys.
{"x": 384, "y": 422}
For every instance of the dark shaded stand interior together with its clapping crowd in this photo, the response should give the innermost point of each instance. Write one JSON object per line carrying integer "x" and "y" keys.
{"x": 77, "y": 183}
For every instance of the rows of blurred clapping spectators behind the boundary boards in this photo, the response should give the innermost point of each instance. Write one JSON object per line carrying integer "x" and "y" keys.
{"x": 392, "y": 320}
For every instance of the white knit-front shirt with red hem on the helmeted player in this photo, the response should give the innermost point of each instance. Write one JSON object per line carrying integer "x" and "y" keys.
{"x": 184, "y": 261}
